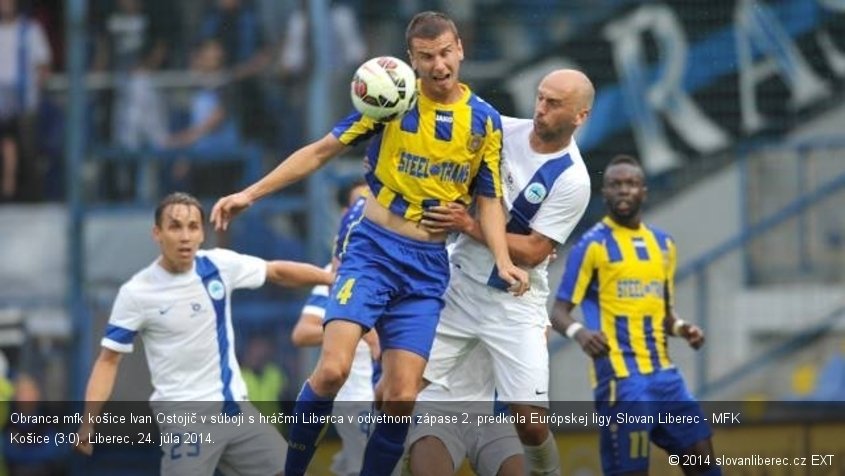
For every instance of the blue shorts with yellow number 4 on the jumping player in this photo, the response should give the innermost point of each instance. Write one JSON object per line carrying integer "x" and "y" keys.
{"x": 392, "y": 283}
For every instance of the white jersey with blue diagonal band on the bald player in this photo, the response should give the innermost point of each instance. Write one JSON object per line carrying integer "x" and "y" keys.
{"x": 547, "y": 193}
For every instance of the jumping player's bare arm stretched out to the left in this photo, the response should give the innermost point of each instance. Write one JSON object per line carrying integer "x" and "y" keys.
{"x": 297, "y": 166}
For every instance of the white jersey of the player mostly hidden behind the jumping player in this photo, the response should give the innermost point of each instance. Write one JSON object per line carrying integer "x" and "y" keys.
{"x": 359, "y": 385}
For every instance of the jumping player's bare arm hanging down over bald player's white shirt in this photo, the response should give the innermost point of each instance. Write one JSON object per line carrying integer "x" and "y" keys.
{"x": 492, "y": 218}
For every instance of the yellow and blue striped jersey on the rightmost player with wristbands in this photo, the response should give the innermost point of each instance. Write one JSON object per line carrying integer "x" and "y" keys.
{"x": 623, "y": 280}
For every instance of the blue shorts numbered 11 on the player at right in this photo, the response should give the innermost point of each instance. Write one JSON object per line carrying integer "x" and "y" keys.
{"x": 654, "y": 407}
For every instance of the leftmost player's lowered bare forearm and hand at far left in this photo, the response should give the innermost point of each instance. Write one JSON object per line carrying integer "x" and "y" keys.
{"x": 100, "y": 386}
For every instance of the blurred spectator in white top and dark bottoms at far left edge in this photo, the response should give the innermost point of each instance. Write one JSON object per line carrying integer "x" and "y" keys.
{"x": 25, "y": 58}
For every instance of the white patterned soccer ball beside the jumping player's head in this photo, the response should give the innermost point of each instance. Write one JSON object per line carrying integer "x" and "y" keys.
{"x": 384, "y": 88}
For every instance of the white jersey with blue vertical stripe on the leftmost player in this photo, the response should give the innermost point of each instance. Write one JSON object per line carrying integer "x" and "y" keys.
{"x": 185, "y": 322}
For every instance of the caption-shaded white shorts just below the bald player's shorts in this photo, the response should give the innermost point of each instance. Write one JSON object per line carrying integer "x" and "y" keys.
{"x": 486, "y": 446}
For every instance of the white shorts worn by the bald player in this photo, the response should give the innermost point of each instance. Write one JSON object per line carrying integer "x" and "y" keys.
{"x": 512, "y": 329}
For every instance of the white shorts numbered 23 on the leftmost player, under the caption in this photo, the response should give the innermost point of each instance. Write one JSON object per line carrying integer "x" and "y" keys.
{"x": 235, "y": 449}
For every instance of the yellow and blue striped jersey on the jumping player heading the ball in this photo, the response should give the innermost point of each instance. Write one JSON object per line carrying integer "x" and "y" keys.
{"x": 435, "y": 153}
